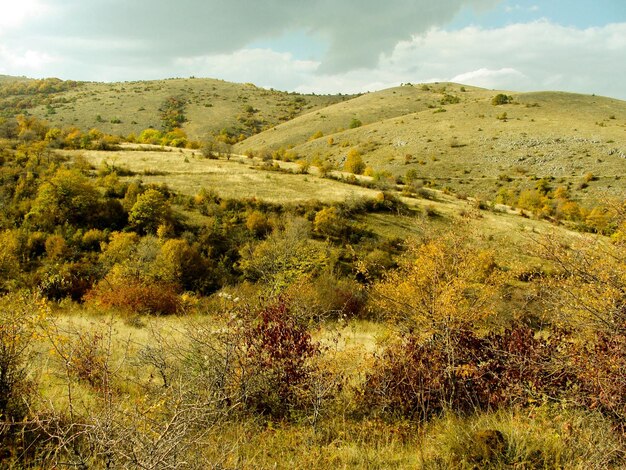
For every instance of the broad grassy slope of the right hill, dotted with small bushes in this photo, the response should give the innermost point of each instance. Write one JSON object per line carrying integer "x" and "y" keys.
{"x": 467, "y": 147}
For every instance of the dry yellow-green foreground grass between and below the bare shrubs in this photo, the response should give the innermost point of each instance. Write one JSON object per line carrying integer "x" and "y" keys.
{"x": 543, "y": 436}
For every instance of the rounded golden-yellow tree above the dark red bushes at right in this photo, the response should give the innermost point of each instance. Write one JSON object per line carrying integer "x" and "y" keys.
{"x": 439, "y": 286}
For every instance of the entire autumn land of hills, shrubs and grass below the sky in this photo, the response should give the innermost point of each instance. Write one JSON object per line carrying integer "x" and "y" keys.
{"x": 430, "y": 276}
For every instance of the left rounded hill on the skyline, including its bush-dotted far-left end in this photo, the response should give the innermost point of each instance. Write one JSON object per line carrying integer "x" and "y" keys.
{"x": 129, "y": 107}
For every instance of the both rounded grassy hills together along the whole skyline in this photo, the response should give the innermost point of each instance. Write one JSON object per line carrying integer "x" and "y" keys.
{"x": 444, "y": 135}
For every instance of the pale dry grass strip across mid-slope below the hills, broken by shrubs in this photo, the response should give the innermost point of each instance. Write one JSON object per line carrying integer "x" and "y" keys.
{"x": 186, "y": 171}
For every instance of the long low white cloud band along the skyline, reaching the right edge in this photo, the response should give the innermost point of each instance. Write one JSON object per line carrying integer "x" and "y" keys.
{"x": 533, "y": 56}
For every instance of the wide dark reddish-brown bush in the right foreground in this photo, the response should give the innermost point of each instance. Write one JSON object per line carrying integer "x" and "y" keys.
{"x": 462, "y": 372}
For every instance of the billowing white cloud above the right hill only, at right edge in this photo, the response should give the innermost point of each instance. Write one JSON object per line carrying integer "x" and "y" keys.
{"x": 530, "y": 56}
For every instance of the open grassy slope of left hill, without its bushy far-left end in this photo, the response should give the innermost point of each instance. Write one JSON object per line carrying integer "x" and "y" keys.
{"x": 211, "y": 105}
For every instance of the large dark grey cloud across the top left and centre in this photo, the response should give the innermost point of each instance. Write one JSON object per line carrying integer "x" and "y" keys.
{"x": 357, "y": 32}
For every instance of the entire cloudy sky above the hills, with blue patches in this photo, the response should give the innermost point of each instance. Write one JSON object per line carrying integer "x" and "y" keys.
{"x": 323, "y": 46}
